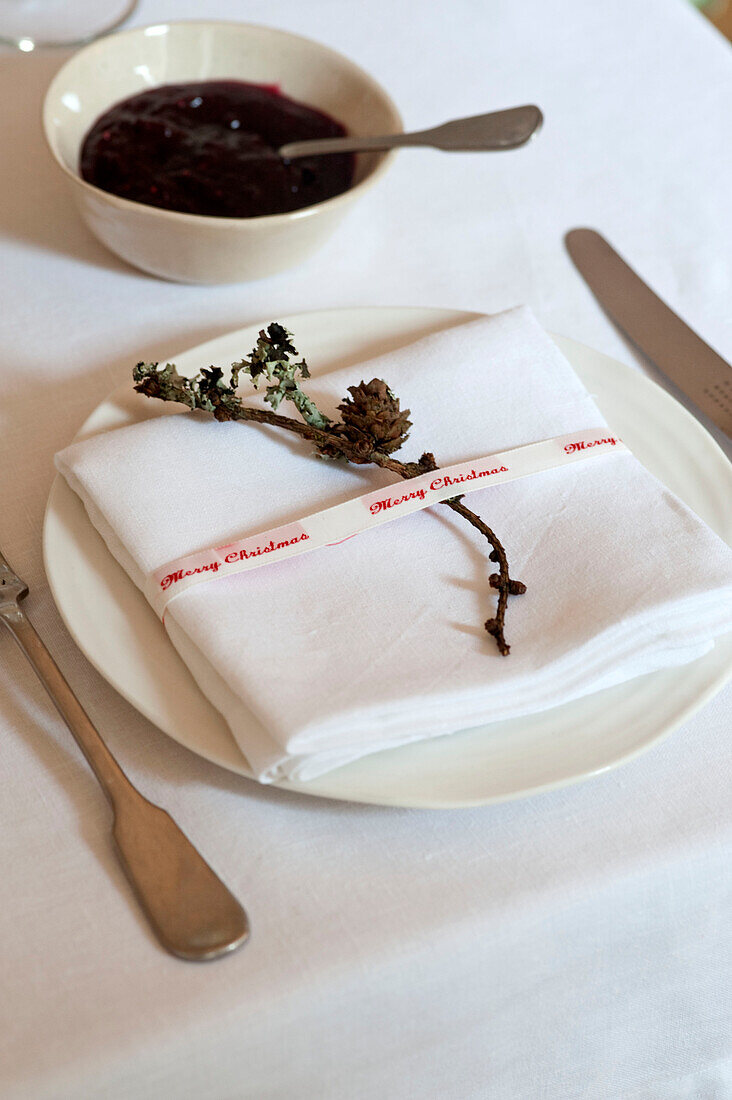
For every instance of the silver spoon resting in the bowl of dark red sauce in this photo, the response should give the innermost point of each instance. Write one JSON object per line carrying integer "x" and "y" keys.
{"x": 479, "y": 134}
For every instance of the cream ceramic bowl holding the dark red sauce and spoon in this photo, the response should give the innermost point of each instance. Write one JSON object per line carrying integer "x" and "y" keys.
{"x": 192, "y": 248}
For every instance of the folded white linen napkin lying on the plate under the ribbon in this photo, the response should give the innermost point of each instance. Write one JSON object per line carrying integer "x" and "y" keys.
{"x": 378, "y": 642}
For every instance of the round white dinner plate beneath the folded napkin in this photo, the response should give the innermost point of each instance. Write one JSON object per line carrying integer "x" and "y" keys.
{"x": 122, "y": 636}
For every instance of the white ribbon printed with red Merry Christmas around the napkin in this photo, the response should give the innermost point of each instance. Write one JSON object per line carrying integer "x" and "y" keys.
{"x": 380, "y": 507}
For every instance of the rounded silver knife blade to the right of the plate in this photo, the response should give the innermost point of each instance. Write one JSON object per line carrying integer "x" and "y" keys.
{"x": 654, "y": 328}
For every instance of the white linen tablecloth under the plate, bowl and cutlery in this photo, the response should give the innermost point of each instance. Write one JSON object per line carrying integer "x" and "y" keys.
{"x": 573, "y": 945}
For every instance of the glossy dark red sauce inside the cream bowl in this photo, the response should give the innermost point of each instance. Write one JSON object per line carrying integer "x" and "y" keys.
{"x": 212, "y": 149}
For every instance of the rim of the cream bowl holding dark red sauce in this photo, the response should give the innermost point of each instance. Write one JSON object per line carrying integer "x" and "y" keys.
{"x": 202, "y": 219}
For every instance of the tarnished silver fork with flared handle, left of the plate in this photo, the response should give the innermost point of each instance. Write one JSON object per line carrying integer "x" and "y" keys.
{"x": 192, "y": 912}
